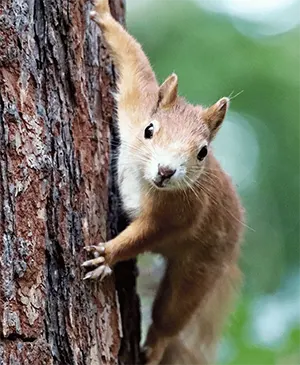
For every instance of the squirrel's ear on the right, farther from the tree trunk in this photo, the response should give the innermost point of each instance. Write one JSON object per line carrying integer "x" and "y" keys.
{"x": 214, "y": 115}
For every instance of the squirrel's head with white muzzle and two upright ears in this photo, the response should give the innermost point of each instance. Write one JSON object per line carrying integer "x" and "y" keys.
{"x": 175, "y": 142}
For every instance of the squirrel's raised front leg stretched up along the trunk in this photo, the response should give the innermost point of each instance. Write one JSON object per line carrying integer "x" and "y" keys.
{"x": 137, "y": 86}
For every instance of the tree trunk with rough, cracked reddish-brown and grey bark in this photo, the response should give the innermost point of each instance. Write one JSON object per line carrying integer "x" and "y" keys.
{"x": 56, "y": 193}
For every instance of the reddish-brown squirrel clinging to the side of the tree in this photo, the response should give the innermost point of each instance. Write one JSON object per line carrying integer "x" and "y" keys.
{"x": 180, "y": 202}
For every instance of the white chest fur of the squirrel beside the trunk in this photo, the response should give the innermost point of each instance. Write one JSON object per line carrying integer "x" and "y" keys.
{"x": 129, "y": 184}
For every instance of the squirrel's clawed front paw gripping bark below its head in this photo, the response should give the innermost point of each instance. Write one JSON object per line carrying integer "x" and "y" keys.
{"x": 102, "y": 269}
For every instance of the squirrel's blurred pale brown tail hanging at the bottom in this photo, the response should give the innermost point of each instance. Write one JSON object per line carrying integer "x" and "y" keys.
{"x": 196, "y": 344}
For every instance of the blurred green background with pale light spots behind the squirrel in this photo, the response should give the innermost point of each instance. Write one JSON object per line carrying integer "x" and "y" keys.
{"x": 220, "y": 48}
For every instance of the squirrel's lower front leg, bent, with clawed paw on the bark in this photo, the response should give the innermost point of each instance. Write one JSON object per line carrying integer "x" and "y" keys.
{"x": 137, "y": 238}
